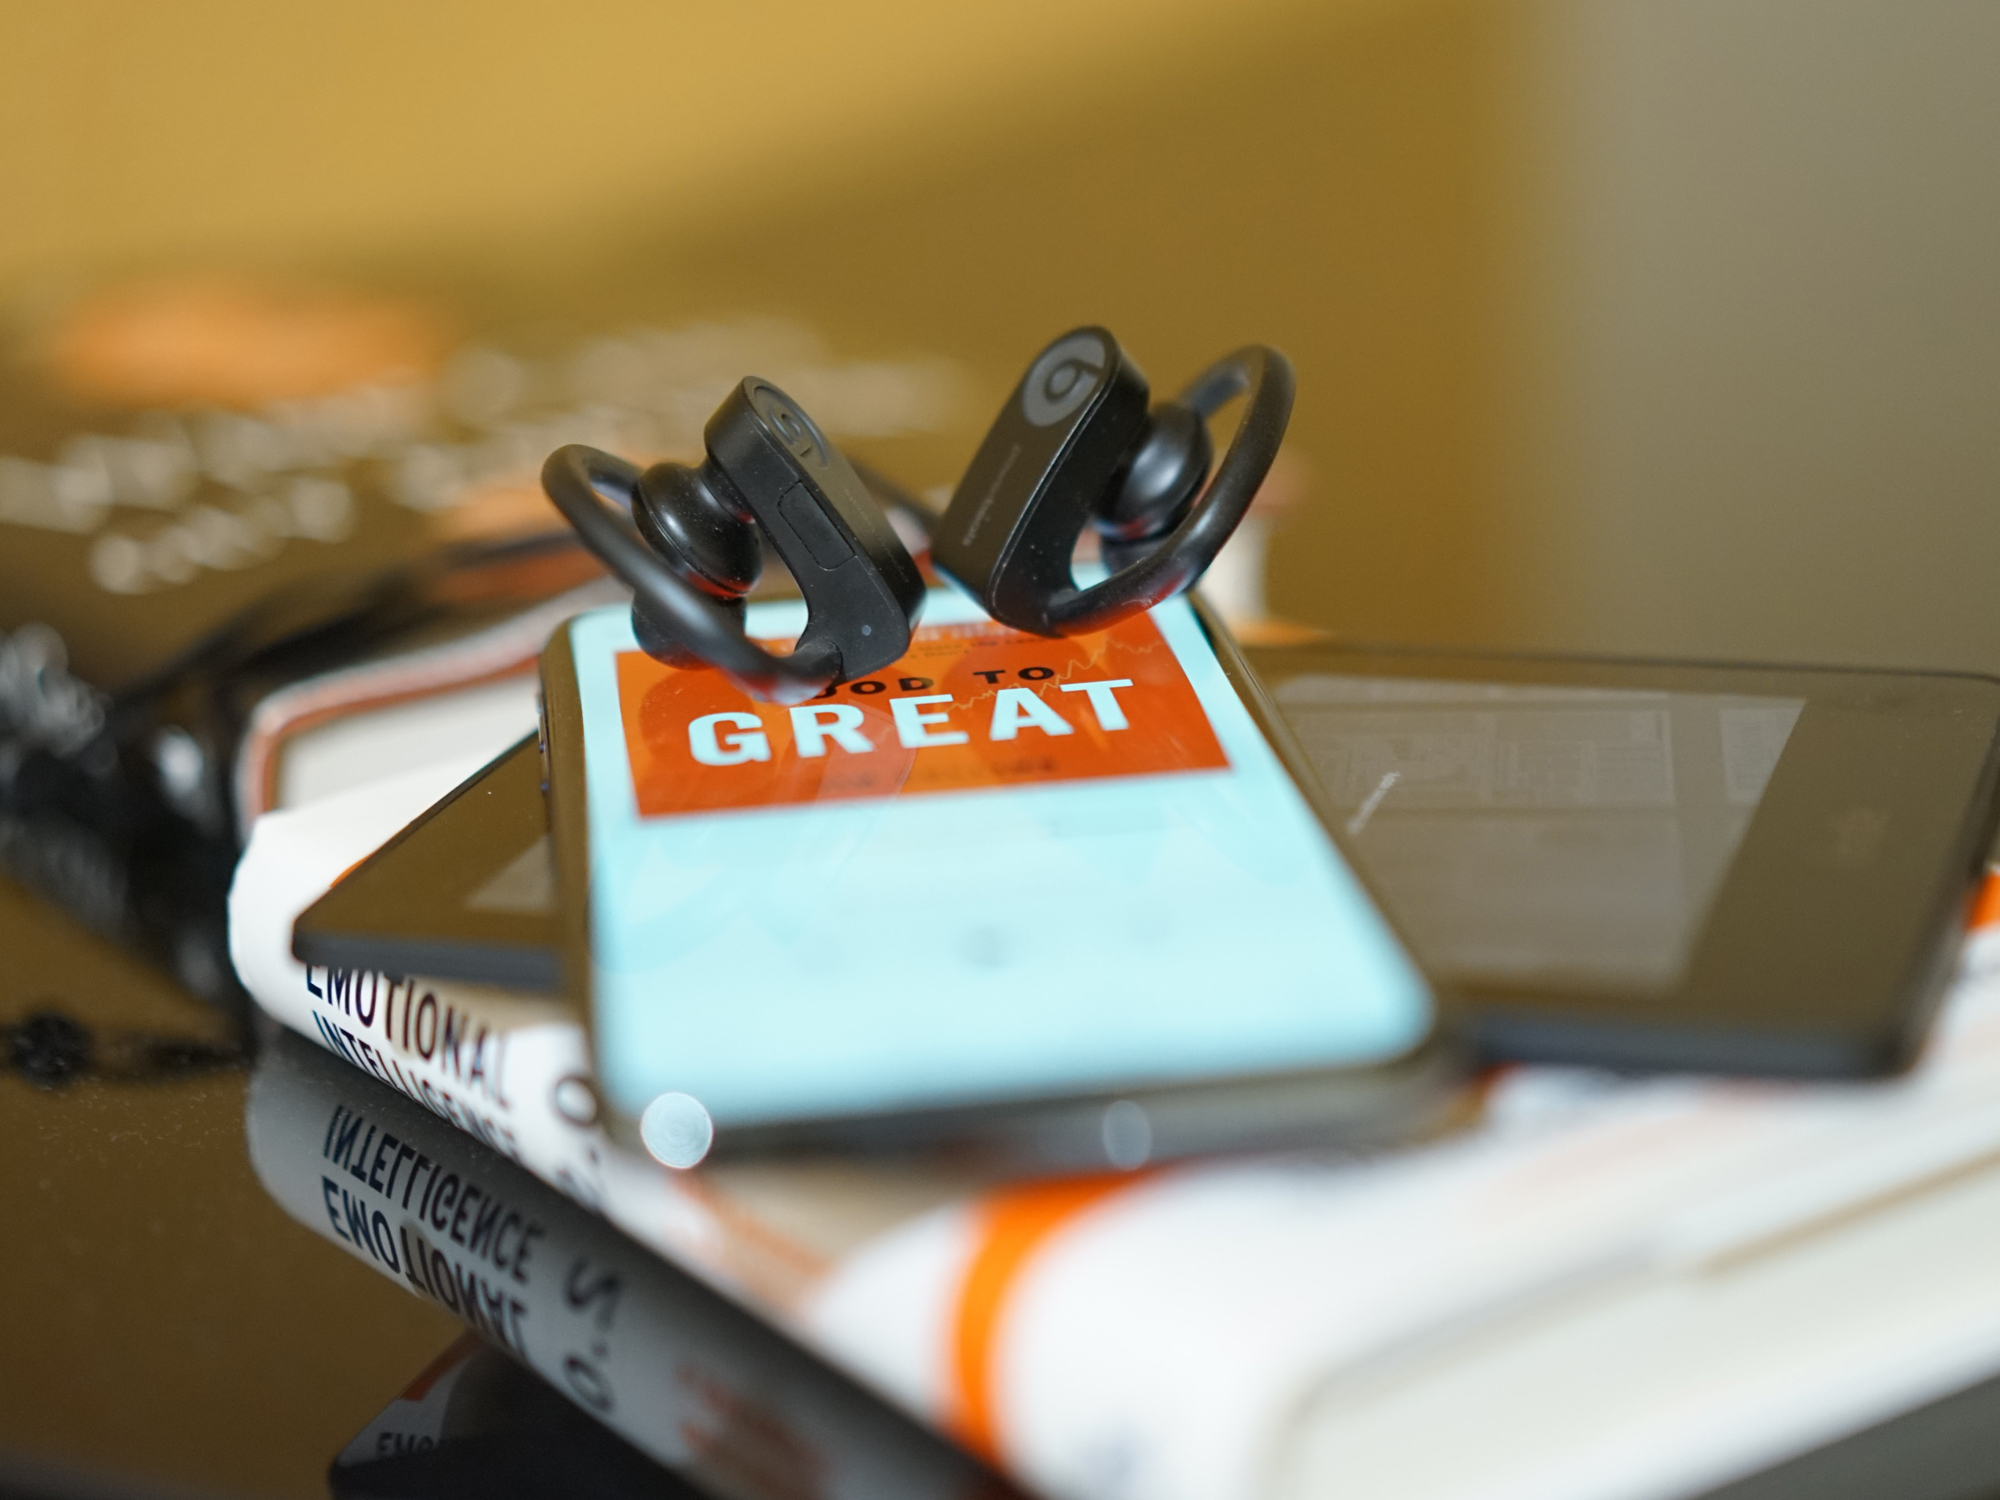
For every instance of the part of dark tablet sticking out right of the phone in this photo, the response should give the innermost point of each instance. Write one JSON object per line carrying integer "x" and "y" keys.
{"x": 1645, "y": 865}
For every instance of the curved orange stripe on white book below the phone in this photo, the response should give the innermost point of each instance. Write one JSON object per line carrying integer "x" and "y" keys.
{"x": 1017, "y": 1223}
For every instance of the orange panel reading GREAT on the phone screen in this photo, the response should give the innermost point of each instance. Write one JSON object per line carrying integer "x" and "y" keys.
{"x": 969, "y": 707}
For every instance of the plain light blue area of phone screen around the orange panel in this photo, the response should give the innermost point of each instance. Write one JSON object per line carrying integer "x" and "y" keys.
{"x": 959, "y": 947}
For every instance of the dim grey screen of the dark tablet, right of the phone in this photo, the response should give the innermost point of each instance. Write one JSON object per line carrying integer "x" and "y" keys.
{"x": 1539, "y": 833}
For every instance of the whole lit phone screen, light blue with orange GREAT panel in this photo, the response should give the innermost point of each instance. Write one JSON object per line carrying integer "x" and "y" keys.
{"x": 1003, "y": 869}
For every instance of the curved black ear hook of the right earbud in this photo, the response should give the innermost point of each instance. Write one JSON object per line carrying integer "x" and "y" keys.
{"x": 1175, "y": 561}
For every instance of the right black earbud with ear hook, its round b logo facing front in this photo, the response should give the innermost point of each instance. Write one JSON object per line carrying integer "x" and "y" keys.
{"x": 1077, "y": 447}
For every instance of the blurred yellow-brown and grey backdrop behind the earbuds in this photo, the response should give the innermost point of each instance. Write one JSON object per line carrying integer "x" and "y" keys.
{"x": 1621, "y": 325}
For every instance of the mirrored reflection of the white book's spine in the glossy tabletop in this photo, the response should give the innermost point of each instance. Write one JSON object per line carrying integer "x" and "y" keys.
{"x": 675, "y": 1369}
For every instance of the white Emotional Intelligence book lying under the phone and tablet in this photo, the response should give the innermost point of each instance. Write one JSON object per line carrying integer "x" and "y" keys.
{"x": 1275, "y": 1325}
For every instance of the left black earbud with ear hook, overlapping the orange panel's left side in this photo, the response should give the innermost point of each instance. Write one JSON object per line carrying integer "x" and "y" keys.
{"x": 689, "y": 545}
